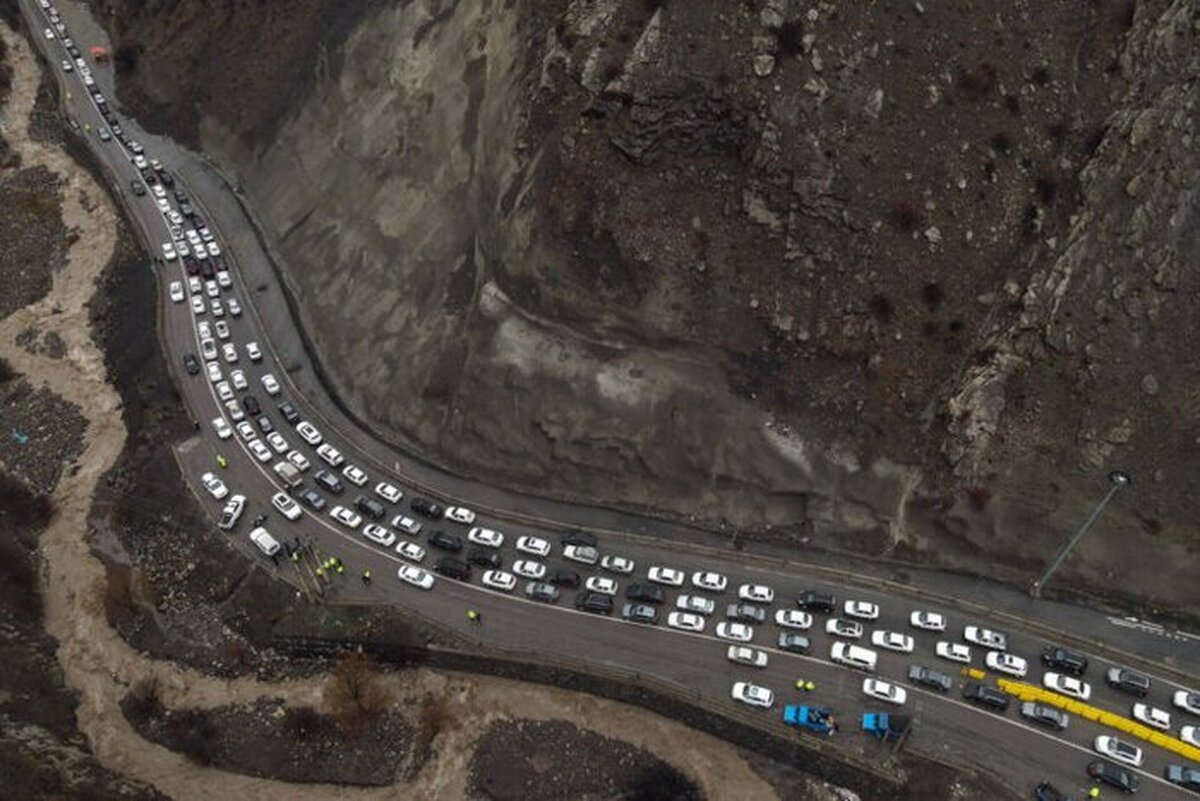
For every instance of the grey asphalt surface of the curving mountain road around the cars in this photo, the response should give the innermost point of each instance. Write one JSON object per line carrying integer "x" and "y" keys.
{"x": 947, "y": 727}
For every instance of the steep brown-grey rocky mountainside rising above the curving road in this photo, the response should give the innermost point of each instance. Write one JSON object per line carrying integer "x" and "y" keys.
{"x": 907, "y": 280}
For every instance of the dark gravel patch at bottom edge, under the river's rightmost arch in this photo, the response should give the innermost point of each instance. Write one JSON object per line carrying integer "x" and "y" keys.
{"x": 547, "y": 762}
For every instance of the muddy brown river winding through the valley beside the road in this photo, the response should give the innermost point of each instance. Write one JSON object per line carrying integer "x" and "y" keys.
{"x": 100, "y": 666}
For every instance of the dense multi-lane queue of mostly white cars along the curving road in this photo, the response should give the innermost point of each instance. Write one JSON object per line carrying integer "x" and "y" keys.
{"x": 751, "y": 623}
